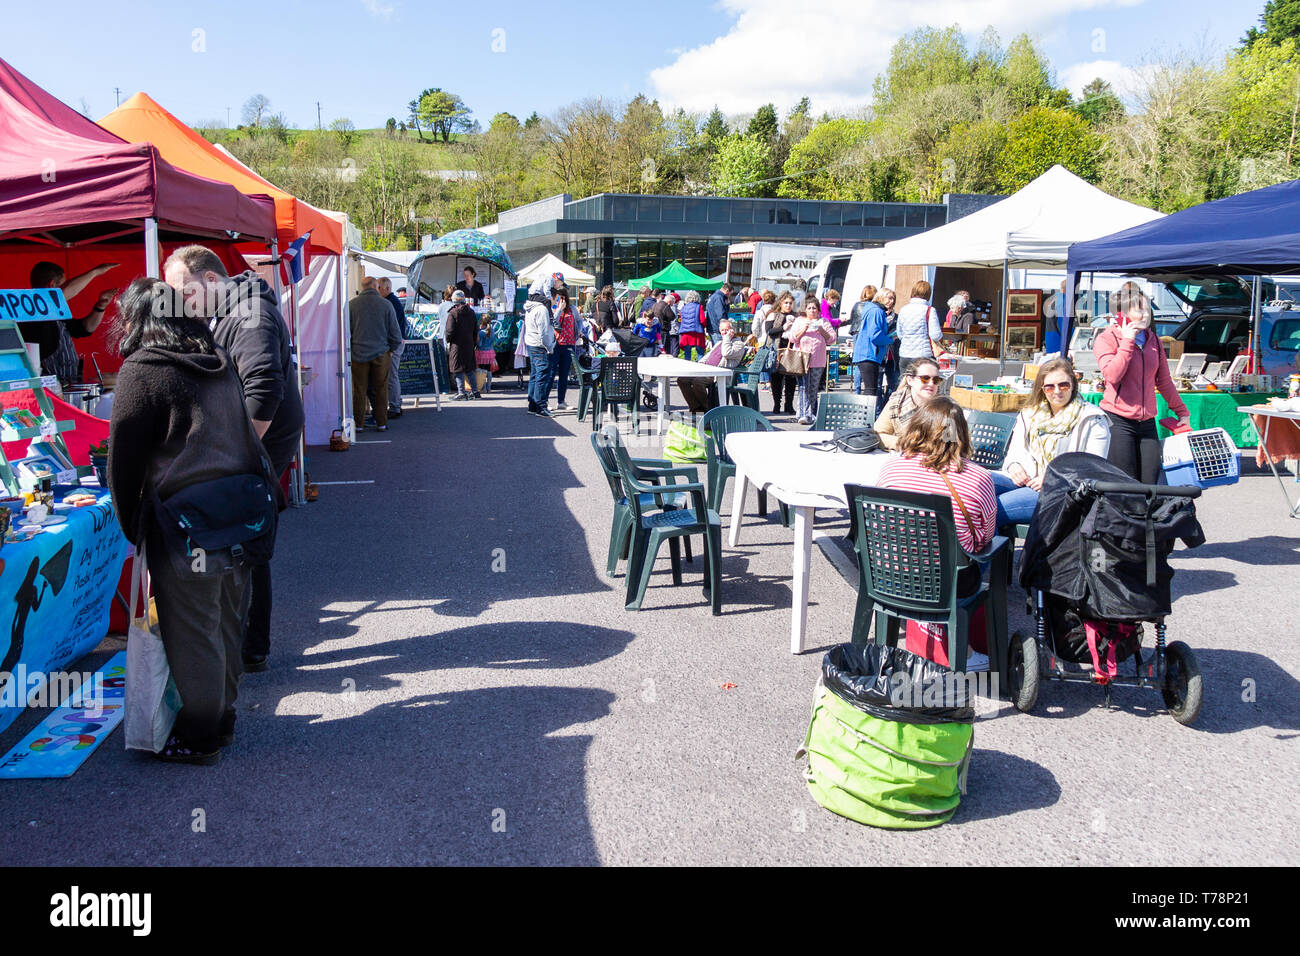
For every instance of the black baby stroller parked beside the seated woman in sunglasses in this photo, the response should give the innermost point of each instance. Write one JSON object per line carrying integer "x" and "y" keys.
{"x": 1097, "y": 569}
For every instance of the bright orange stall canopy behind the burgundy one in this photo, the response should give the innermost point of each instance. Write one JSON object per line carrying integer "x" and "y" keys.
{"x": 142, "y": 120}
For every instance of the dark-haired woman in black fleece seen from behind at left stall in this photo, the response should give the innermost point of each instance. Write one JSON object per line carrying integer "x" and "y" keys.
{"x": 180, "y": 419}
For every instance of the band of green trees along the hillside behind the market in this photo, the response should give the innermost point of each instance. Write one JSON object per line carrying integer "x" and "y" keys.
{"x": 946, "y": 118}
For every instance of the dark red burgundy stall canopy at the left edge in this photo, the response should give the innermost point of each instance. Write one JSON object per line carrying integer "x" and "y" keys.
{"x": 64, "y": 180}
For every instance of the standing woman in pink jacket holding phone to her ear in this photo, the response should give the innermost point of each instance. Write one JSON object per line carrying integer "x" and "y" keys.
{"x": 1134, "y": 367}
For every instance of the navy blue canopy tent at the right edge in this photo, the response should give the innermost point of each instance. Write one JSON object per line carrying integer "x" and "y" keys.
{"x": 1250, "y": 235}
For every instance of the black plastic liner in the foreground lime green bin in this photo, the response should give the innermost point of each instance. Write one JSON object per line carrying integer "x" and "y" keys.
{"x": 873, "y": 678}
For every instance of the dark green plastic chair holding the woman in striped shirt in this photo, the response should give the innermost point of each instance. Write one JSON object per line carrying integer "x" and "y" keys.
{"x": 908, "y": 568}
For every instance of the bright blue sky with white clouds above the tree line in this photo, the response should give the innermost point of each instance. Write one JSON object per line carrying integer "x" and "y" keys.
{"x": 366, "y": 59}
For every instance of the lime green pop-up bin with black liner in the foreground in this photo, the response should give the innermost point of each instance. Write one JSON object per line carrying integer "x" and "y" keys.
{"x": 876, "y": 754}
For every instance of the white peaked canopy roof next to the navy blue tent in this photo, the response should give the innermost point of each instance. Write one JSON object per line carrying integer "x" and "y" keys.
{"x": 1033, "y": 228}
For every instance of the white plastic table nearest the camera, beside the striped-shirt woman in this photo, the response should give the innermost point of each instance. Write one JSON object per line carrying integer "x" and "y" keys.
{"x": 805, "y": 481}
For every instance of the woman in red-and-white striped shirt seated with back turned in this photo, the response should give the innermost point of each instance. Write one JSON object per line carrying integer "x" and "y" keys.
{"x": 934, "y": 460}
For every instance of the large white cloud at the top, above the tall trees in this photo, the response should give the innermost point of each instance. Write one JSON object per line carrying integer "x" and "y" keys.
{"x": 830, "y": 50}
